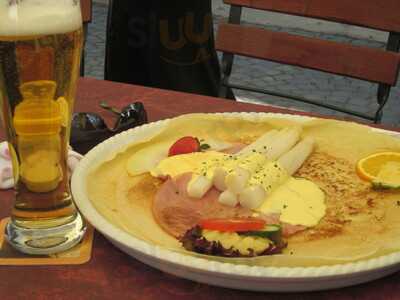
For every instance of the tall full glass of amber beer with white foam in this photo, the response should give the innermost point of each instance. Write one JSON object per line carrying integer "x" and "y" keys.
{"x": 40, "y": 50}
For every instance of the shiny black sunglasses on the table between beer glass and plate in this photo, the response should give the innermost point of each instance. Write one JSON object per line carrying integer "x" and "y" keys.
{"x": 89, "y": 129}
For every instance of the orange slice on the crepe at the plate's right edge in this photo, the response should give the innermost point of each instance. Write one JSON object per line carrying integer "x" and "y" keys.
{"x": 369, "y": 167}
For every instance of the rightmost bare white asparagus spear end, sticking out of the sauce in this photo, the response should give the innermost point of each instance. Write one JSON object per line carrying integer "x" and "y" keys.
{"x": 295, "y": 158}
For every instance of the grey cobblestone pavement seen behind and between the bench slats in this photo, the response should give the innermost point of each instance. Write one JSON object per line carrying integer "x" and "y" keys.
{"x": 345, "y": 92}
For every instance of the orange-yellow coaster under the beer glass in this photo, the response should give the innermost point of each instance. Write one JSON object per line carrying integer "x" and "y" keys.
{"x": 79, "y": 254}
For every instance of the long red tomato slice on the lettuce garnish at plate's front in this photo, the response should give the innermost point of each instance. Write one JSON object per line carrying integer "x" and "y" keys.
{"x": 236, "y": 225}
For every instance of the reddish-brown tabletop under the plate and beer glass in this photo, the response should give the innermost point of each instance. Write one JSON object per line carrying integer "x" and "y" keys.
{"x": 111, "y": 274}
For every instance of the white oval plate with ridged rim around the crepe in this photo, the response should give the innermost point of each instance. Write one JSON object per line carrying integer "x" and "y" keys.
{"x": 212, "y": 272}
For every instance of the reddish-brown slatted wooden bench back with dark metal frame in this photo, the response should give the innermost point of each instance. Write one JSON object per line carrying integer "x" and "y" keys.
{"x": 374, "y": 65}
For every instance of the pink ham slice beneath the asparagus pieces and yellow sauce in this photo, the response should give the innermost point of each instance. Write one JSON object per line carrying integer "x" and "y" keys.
{"x": 176, "y": 212}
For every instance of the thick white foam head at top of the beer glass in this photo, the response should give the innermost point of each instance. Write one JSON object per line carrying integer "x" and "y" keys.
{"x": 39, "y": 17}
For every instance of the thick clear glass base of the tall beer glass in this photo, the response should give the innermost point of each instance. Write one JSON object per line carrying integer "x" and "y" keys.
{"x": 45, "y": 241}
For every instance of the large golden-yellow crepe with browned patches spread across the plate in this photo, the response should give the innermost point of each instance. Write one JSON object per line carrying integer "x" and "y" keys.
{"x": 360, "y": 223}
